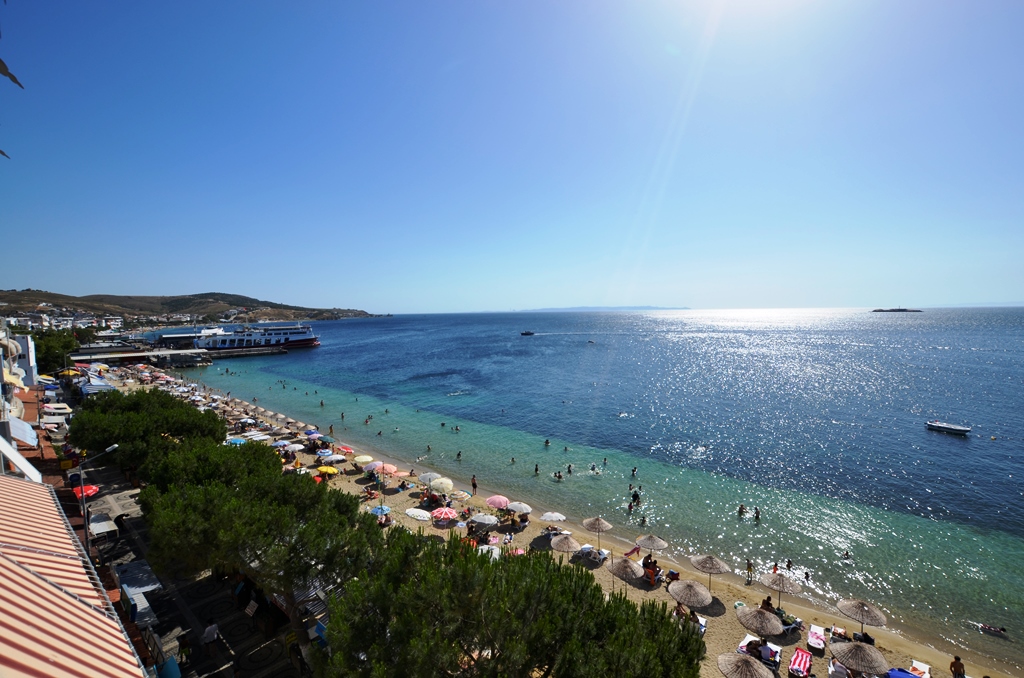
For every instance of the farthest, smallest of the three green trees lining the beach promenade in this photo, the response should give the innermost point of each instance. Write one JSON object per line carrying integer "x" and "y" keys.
{"x": 146, "y": 425}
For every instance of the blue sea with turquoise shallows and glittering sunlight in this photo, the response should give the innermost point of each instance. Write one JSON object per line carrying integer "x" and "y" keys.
{"x": 817, "y": 417}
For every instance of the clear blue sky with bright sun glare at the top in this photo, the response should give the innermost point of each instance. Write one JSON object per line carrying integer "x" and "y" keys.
{"x": 448, "y": 157}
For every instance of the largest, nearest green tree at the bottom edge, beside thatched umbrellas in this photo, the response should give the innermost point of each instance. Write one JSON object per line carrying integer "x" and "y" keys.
{"x": 430, "y": 610}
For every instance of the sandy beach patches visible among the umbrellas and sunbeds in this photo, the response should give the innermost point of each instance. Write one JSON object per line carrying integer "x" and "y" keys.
{"x": 724, "y": 631}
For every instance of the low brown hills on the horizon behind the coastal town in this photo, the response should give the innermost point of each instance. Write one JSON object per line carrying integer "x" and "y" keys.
{"x": 212, "y": 305}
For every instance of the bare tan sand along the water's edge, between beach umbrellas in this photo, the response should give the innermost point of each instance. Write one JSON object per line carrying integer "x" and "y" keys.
{"x": 900, "y": 644}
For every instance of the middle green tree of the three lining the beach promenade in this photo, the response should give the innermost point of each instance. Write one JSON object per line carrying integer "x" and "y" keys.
{"x": 236, "y": 511}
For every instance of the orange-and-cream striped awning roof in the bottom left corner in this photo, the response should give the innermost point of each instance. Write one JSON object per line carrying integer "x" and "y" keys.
{"x": 55, "y": 619}
